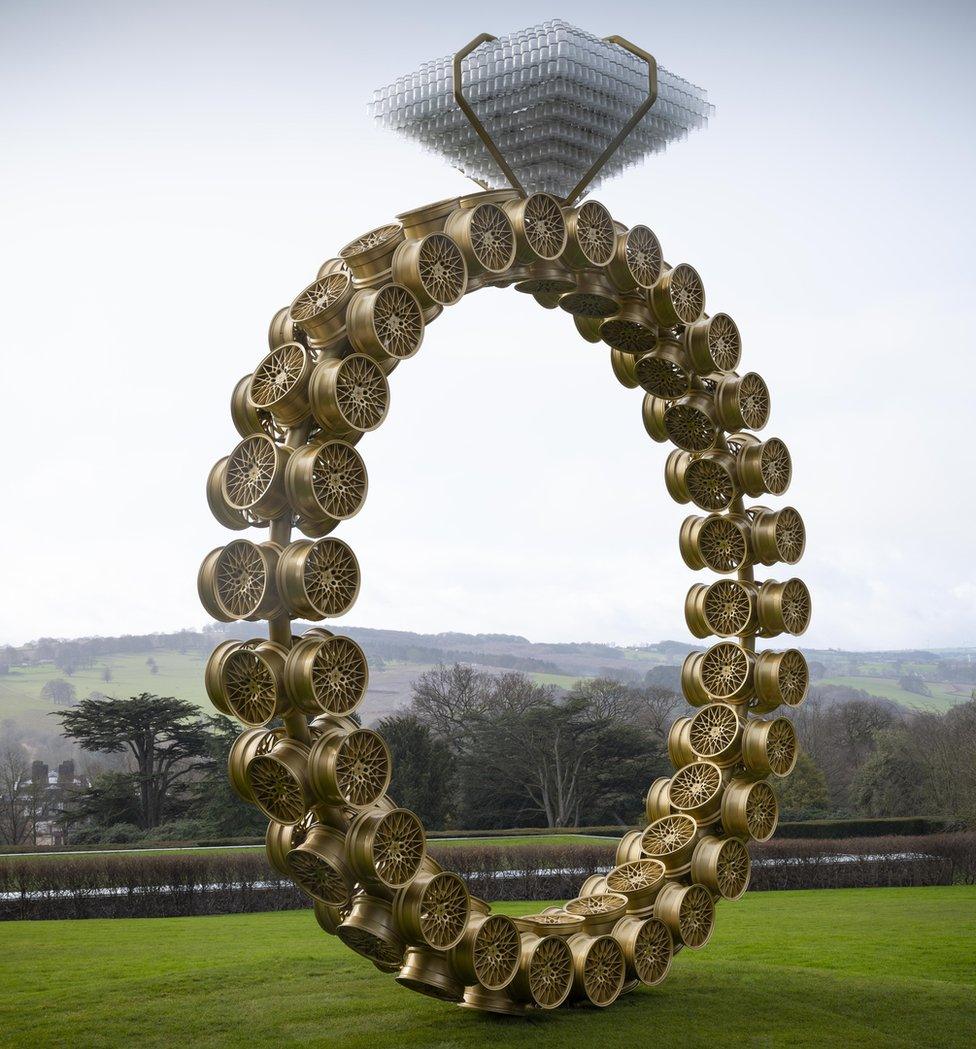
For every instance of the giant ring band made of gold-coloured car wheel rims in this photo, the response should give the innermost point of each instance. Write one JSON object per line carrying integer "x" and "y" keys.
{"x": 298, "y": 472}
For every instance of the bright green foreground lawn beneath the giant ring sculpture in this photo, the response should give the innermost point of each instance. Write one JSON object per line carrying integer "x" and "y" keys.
{"x": 860, "y": 968}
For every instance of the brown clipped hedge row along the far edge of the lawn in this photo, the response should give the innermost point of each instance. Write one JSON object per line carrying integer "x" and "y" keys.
{"x": 168, "y": 886}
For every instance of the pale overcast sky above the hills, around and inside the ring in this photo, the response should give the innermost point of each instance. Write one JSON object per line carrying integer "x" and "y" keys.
{"x": 174, "y": 174}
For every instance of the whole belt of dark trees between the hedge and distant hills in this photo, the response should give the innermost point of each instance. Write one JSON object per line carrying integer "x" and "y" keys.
{"x": 477, "y": 751}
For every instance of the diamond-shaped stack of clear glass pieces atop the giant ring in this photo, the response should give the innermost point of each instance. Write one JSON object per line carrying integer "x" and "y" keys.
{"x": 553, "y": 97}
